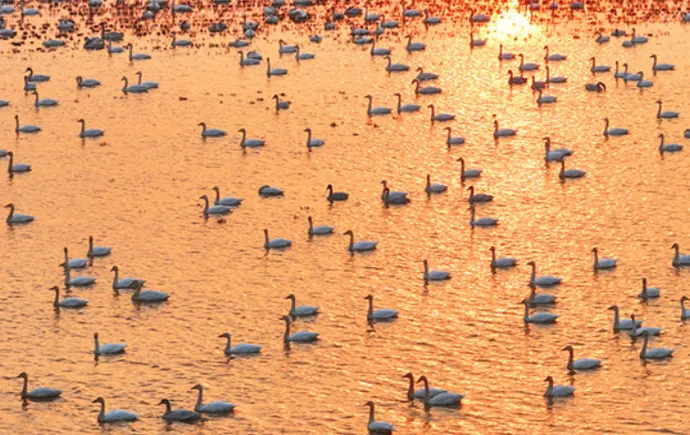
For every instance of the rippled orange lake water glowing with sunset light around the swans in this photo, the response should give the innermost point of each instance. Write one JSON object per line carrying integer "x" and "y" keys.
{"x": 137, "y": 188}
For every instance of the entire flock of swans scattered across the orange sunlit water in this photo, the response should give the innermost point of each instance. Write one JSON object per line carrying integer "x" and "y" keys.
{"x": 222, "y": 206}
